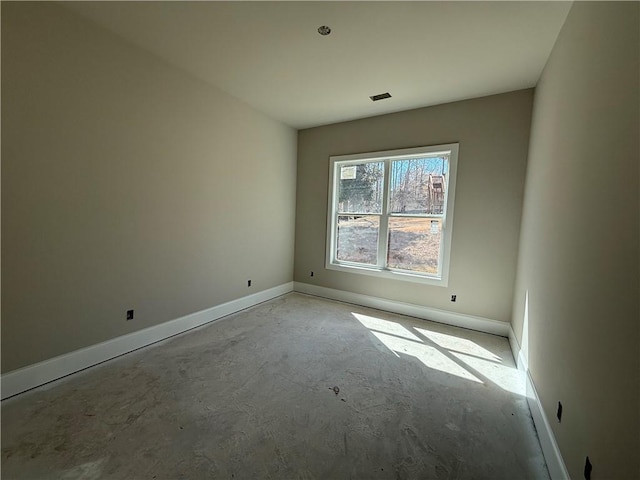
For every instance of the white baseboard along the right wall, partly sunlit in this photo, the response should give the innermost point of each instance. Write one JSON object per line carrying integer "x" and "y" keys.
{"x": 553, "y": 457}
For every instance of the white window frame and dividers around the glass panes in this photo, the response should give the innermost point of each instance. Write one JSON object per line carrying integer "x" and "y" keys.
{"x": 332, "y": 263}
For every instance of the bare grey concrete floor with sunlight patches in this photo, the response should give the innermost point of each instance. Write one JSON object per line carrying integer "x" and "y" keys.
{"x": 298, "y": 387}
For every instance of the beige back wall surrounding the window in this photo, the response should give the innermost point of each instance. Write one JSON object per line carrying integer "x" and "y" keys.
{"x": 493, "y": 133}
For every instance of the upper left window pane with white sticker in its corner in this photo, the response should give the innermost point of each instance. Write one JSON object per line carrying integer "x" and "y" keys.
{"x": 360, "y": 187}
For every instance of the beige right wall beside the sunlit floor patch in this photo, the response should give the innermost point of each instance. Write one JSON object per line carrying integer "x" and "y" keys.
{"x": 579, "y": 242}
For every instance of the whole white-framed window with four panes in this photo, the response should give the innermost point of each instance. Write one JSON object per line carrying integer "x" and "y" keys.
{"x": 390, "y": 213}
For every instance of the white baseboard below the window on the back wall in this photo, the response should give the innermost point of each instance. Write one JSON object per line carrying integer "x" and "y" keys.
{"x": 471, "y": 322}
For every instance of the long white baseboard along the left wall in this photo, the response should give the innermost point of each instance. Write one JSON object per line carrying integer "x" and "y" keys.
{"x": 32, "y": 376}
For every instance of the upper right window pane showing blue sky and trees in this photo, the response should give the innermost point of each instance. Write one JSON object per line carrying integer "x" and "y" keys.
{"x": 418, "y": 185}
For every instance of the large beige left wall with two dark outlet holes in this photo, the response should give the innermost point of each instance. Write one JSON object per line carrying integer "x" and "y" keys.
{"x": 126, "y": 184}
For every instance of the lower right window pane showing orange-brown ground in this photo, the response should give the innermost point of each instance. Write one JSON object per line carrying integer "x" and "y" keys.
{"x": 414, "y": 244}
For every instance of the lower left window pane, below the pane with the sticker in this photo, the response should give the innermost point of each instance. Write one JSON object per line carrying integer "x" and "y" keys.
{"x": 358, "y": 239}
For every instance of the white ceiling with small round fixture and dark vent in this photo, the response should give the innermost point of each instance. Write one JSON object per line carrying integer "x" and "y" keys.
{"x": 270, "y": 55}
